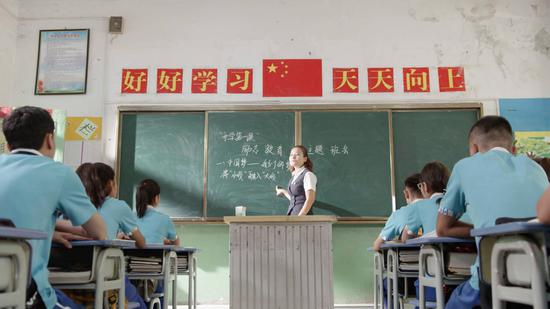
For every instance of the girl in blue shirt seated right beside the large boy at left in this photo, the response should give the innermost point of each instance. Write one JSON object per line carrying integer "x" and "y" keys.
{"x": 99, "y": 181}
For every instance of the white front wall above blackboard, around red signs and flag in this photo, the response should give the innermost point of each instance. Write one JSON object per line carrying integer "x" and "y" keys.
{"x": 503, "y": 45}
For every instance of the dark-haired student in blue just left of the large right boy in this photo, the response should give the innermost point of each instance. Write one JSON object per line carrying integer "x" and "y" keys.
{"x": 423, "y": 214}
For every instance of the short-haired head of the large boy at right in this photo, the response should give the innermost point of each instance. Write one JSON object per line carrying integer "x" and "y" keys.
{"x": 489, "y": 132}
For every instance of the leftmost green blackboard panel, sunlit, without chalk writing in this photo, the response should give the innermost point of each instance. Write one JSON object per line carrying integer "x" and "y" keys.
{"x": 168, "y": 148}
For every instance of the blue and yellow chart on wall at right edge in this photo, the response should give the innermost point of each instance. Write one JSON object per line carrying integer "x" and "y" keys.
{"x": 530, "y": 120}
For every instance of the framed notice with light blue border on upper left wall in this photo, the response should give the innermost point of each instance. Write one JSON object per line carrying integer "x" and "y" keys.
{"x": 62, "y": 62}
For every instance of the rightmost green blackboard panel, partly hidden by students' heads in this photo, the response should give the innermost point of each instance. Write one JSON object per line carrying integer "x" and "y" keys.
{"x": 423, "y": 136}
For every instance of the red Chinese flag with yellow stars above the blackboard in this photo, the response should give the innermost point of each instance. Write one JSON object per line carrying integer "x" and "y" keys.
{"x": 292, "y": 78}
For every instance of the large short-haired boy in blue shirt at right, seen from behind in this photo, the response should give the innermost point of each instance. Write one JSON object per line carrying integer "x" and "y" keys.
{"x": 491, "y": 183}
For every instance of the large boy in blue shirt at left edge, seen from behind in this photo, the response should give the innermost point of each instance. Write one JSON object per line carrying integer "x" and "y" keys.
{"x": 33, "y": 188}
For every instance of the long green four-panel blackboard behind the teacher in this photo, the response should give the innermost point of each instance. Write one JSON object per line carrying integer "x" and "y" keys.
{"x": 240, "y": 156}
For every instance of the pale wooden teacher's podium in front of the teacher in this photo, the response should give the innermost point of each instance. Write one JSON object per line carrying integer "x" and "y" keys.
{"x": 281, "y": 262}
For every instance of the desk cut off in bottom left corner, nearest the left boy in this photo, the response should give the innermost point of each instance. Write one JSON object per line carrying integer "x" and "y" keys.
{"x": 15, "y": 262}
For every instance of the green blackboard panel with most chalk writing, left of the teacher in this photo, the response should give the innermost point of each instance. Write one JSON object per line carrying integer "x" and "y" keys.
{"x": 247, "y": 158}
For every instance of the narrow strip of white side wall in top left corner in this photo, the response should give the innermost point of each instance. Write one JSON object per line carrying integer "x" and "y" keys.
{"x": 8, "y": 34}
